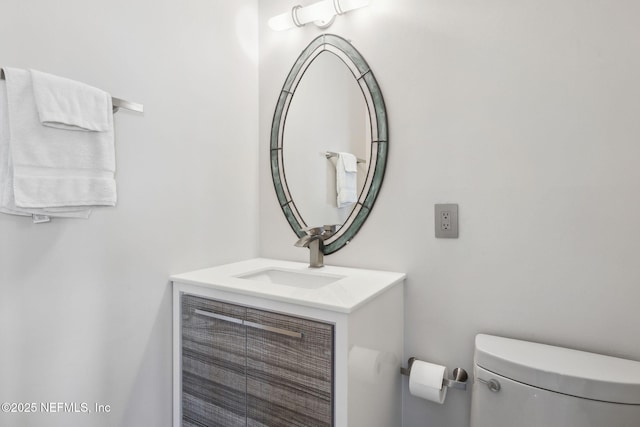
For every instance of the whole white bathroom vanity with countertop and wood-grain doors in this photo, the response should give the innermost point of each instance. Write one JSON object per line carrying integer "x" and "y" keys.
{"x": 322, "y": 350}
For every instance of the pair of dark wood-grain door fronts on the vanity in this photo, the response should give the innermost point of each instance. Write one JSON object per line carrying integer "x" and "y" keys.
{"x": 243, "y": 366}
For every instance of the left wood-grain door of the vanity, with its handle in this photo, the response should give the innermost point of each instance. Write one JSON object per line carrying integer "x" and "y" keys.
{"x": 213, "y": 363}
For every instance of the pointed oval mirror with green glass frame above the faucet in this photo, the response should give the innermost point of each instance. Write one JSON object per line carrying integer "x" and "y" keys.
{"x": 336, "y": 108}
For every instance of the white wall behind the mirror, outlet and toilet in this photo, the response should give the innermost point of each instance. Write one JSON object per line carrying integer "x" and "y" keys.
{"x": 524, "y": 113}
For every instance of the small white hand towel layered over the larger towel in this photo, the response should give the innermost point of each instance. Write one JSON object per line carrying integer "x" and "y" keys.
{"x": 68, "y": 104}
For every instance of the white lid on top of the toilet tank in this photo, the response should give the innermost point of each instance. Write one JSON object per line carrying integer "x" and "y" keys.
{"x": 576, "y": 373}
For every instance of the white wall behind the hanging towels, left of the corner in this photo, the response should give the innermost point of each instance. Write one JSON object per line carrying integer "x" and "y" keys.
{"x": 85, "y": 305}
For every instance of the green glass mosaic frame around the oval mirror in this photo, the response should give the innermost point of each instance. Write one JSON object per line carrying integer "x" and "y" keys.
{"x": 343, "y": 49}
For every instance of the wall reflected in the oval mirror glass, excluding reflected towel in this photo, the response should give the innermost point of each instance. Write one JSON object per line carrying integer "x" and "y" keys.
{"x": 327, "y": 113}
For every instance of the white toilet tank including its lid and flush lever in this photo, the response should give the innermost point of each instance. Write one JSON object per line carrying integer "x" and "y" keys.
{"x": 524, "y": 384}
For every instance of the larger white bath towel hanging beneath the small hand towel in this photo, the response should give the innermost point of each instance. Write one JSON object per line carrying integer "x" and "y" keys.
{"x": 52, "y": 167}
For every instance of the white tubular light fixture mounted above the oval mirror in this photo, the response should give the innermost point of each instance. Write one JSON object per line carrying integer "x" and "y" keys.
{"x": 322, "y": 14}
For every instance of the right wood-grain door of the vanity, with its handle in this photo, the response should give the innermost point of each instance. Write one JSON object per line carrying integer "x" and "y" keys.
{"x": 289, "y": 371}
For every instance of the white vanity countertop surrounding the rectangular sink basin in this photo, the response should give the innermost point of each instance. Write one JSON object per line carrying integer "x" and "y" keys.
{"x": 344, "y": 295}
